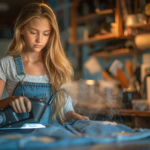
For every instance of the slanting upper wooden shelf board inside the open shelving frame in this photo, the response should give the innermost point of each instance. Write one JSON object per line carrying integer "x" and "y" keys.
{"x": 94, "y": 16}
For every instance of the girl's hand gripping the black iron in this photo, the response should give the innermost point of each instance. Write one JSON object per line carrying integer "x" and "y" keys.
{"x": 20, "y": 104}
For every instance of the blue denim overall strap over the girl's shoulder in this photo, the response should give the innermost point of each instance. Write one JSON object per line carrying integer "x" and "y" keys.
{"x": 19, "y": 65}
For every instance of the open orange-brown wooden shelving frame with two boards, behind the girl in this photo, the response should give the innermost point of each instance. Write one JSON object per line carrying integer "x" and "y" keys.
{"x": 94, "y": 16}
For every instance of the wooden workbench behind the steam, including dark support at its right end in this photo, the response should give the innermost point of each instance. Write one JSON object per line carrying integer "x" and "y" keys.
{"x": 141, "y": 118}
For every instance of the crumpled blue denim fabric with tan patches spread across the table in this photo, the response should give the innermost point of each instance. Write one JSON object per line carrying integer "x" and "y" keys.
{"x": 81, "y": 132}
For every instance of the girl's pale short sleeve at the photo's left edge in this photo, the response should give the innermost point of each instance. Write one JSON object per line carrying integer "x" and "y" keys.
{"x": 2, "y": 70}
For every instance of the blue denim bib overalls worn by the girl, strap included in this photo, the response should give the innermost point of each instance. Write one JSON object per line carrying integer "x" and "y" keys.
{"x": 34, "y": 90}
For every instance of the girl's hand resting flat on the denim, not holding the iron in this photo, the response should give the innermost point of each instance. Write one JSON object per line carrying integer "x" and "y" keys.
{"x": 72, "y": 115}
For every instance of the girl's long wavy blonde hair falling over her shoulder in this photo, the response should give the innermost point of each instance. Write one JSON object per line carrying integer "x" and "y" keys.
{"x": 58, "y": 67}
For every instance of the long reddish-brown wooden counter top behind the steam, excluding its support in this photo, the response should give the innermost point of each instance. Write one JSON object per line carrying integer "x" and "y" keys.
{"x": 99, "y": 109}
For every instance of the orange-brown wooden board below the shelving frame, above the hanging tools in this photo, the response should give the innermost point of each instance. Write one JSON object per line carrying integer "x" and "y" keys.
{"x": 114, "y": 53}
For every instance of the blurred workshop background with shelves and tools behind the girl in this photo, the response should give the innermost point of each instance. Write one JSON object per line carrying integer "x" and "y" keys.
{"x": 108, "y": 44}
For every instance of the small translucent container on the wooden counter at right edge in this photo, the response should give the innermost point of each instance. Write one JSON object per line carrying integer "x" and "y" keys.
{"x": 141, "y": 105}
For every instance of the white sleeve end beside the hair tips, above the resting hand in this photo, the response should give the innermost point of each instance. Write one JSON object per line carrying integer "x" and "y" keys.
{"x": 68, "y": 105}
